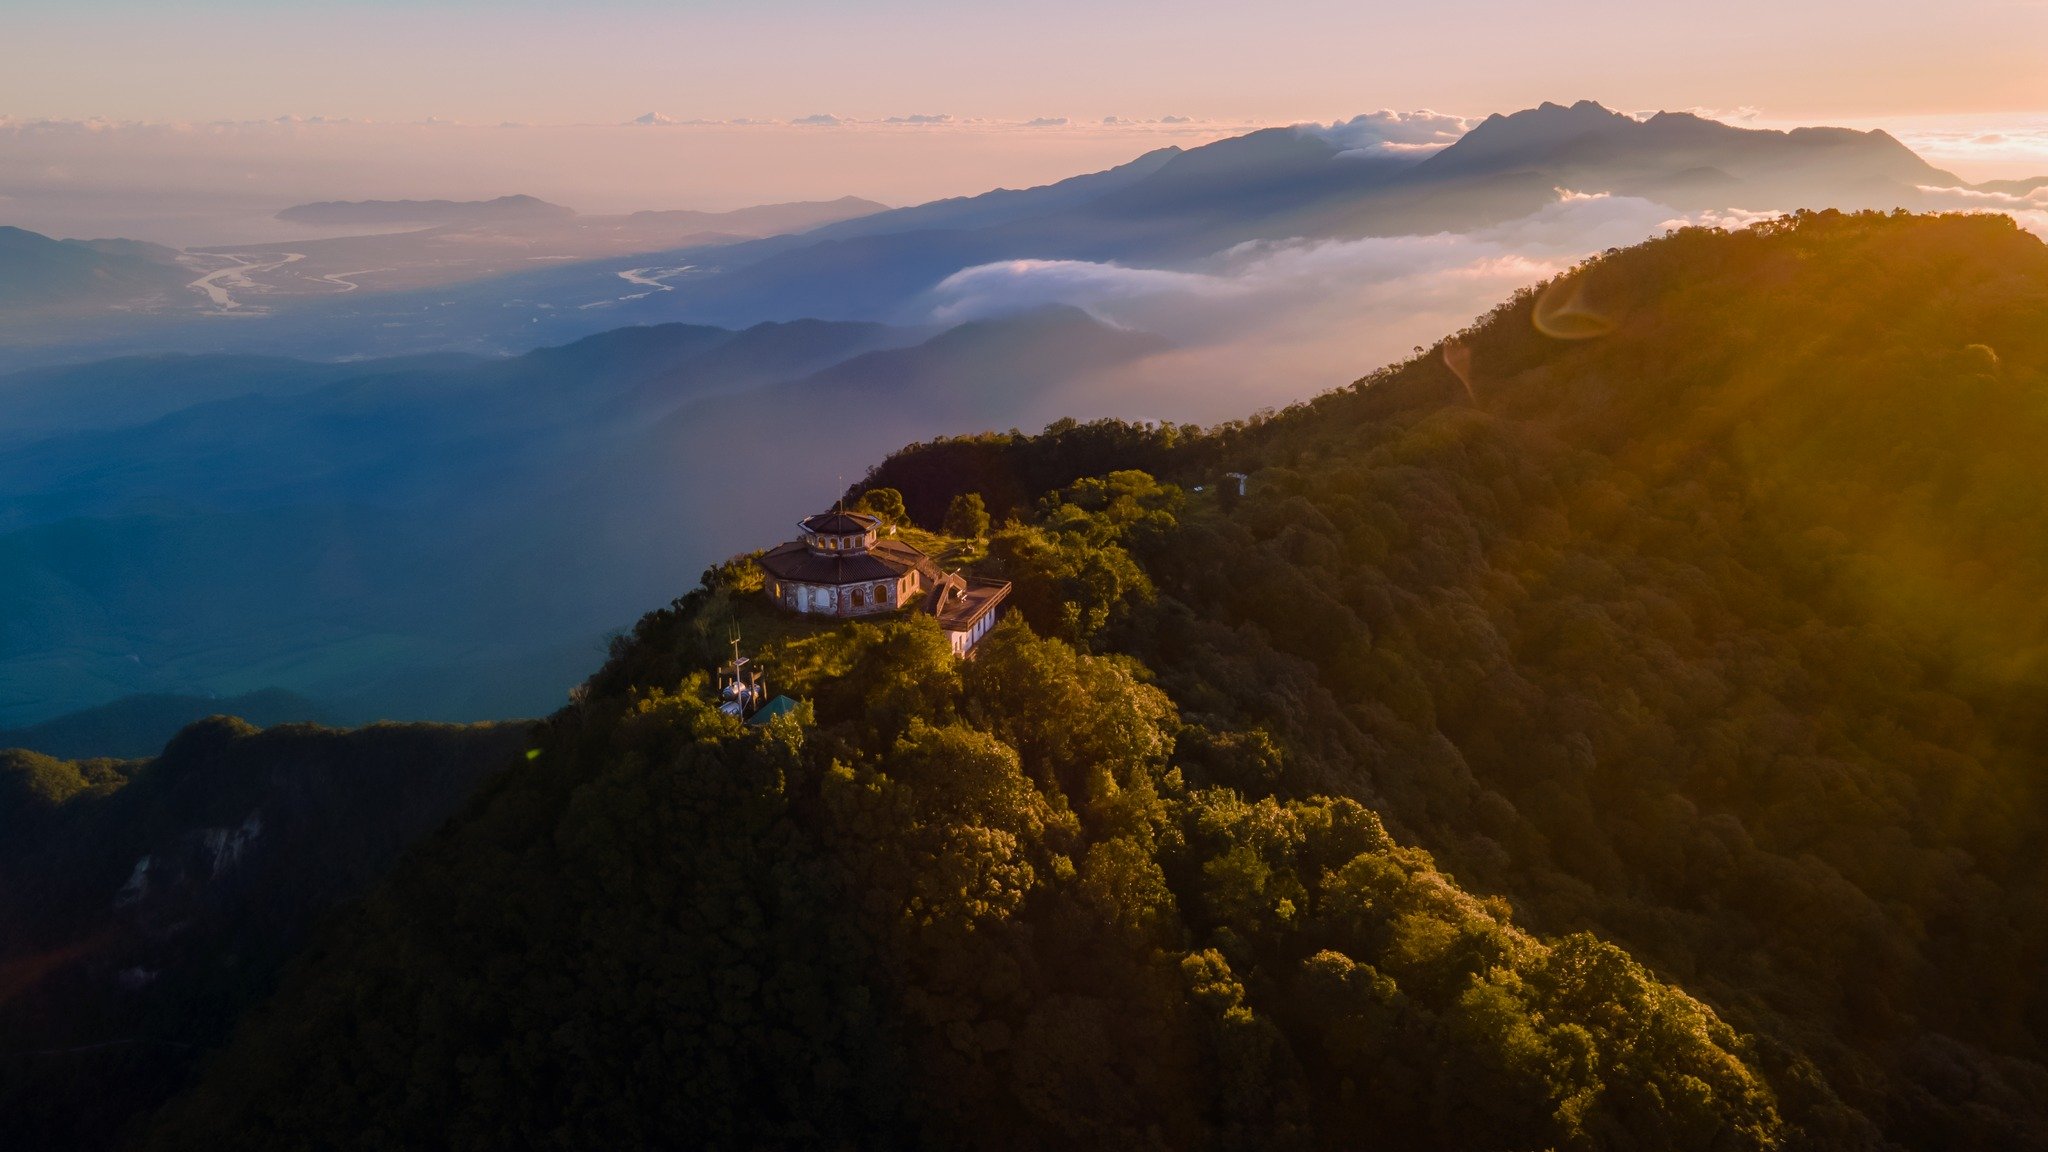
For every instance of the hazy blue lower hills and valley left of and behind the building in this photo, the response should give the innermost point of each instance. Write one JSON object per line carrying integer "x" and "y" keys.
{"x": 452, "y": 538}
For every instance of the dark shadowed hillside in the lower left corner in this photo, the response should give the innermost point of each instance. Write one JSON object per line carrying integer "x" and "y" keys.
{"x": 146, "y": 905}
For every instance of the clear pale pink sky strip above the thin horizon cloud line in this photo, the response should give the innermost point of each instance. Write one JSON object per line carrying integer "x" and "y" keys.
{"x": 611, "y": 60}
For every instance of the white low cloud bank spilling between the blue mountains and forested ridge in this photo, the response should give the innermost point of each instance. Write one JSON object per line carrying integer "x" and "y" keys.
{"x": 1275, "y": 321}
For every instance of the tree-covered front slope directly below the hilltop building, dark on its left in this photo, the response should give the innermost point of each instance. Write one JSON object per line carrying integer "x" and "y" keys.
{"x": 953, "y": 905}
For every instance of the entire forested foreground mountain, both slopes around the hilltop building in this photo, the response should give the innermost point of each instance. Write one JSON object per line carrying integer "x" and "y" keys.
{"x": 1619, "y": 727}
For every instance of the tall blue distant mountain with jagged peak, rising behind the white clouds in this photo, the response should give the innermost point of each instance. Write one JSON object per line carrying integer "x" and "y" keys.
{"x": 1291, "y": 183}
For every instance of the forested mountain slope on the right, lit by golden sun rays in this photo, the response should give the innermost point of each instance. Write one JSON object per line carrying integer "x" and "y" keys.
{"x": 1695, "y": 600}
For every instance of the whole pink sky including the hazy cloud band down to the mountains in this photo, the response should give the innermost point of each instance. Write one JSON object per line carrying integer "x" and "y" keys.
{"x": 196, "y": 120}
